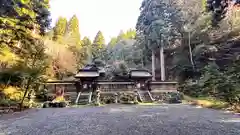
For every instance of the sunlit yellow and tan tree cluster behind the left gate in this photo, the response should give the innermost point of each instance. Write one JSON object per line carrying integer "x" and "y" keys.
{"x": 69, "y": 52}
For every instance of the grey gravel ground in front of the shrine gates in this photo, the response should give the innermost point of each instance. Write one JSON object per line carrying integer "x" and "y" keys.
{"x": 123, "y": 120}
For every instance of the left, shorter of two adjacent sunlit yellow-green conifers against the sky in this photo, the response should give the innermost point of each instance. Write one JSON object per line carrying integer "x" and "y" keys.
{"x": 60, "y": 28}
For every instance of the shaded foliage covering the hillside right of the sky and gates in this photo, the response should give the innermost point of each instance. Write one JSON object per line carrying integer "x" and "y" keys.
{"x": 202, "y": 58}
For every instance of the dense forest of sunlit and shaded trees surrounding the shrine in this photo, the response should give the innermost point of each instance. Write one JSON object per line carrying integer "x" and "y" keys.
{"x": 201, "y": 41}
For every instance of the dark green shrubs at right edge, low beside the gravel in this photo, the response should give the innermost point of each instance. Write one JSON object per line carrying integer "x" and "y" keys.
{"x": 223, "y": 85}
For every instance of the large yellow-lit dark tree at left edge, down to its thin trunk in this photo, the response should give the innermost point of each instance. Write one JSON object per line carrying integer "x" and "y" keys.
{"x": 20, "y": 25}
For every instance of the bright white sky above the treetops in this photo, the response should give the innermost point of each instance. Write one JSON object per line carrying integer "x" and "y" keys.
{"x": 109, "y": 16}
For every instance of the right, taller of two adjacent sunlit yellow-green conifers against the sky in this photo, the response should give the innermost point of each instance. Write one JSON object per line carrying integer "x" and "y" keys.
{"x": 73, "y": 35}
